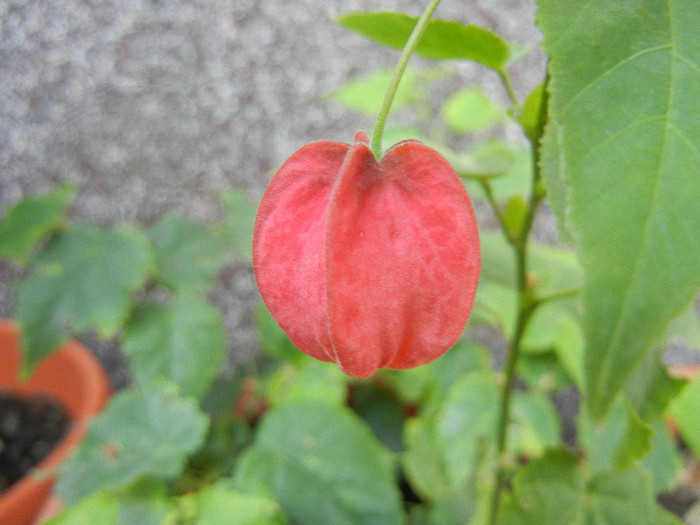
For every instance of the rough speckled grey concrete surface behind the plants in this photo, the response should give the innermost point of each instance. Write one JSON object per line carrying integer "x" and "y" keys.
{"x": 155, "y": 106}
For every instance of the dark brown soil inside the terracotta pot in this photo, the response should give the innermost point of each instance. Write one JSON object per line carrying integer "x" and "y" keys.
{"x": 30, "y": 428}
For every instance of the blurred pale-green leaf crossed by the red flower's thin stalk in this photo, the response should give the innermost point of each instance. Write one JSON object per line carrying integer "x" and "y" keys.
{"x": 367, "y": 94}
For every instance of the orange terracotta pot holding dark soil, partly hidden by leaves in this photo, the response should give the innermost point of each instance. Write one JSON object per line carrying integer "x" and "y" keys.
{"x": 74, "y": 377}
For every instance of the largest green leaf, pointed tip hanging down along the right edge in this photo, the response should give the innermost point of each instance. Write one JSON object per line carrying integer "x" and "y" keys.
{"x": 625, "y": 91}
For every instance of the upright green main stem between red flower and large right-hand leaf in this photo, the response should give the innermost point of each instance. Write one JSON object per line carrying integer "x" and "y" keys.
{"x": 526, "y": 306}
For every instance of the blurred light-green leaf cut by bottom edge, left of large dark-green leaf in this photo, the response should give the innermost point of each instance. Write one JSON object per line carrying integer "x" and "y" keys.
{"x": 216, "y": 505}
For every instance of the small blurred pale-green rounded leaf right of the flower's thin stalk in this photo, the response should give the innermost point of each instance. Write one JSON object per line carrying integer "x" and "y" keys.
{"x": 470, "y": 110}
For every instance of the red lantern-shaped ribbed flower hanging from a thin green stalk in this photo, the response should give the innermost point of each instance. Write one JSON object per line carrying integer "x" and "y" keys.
{"x": 367, "y": 263}
